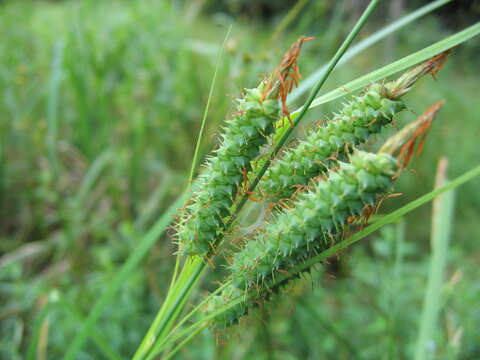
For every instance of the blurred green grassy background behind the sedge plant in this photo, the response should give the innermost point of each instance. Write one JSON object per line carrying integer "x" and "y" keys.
{"x": 101, "y": 103}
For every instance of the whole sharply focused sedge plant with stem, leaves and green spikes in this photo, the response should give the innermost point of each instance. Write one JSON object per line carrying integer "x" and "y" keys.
{"x": 353, "y": 179}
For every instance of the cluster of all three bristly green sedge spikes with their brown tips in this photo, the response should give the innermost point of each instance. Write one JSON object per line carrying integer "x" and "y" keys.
{"x": 340, "y": 183}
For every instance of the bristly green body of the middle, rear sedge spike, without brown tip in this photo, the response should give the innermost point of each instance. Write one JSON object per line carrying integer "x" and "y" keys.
{"x": 362, "y": 117}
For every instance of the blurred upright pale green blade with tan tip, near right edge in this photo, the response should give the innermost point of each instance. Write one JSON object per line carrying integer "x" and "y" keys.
{"x": 442, "y": 219}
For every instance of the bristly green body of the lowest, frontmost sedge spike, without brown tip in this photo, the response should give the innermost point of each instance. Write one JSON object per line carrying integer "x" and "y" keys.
{"x": 318, "y": 218}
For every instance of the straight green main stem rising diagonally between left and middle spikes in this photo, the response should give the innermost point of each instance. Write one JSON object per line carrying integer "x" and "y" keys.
{"x": 165, "y": 323}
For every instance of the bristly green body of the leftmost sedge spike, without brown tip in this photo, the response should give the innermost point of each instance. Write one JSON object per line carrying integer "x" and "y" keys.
{"x": 216, "y": 188}
